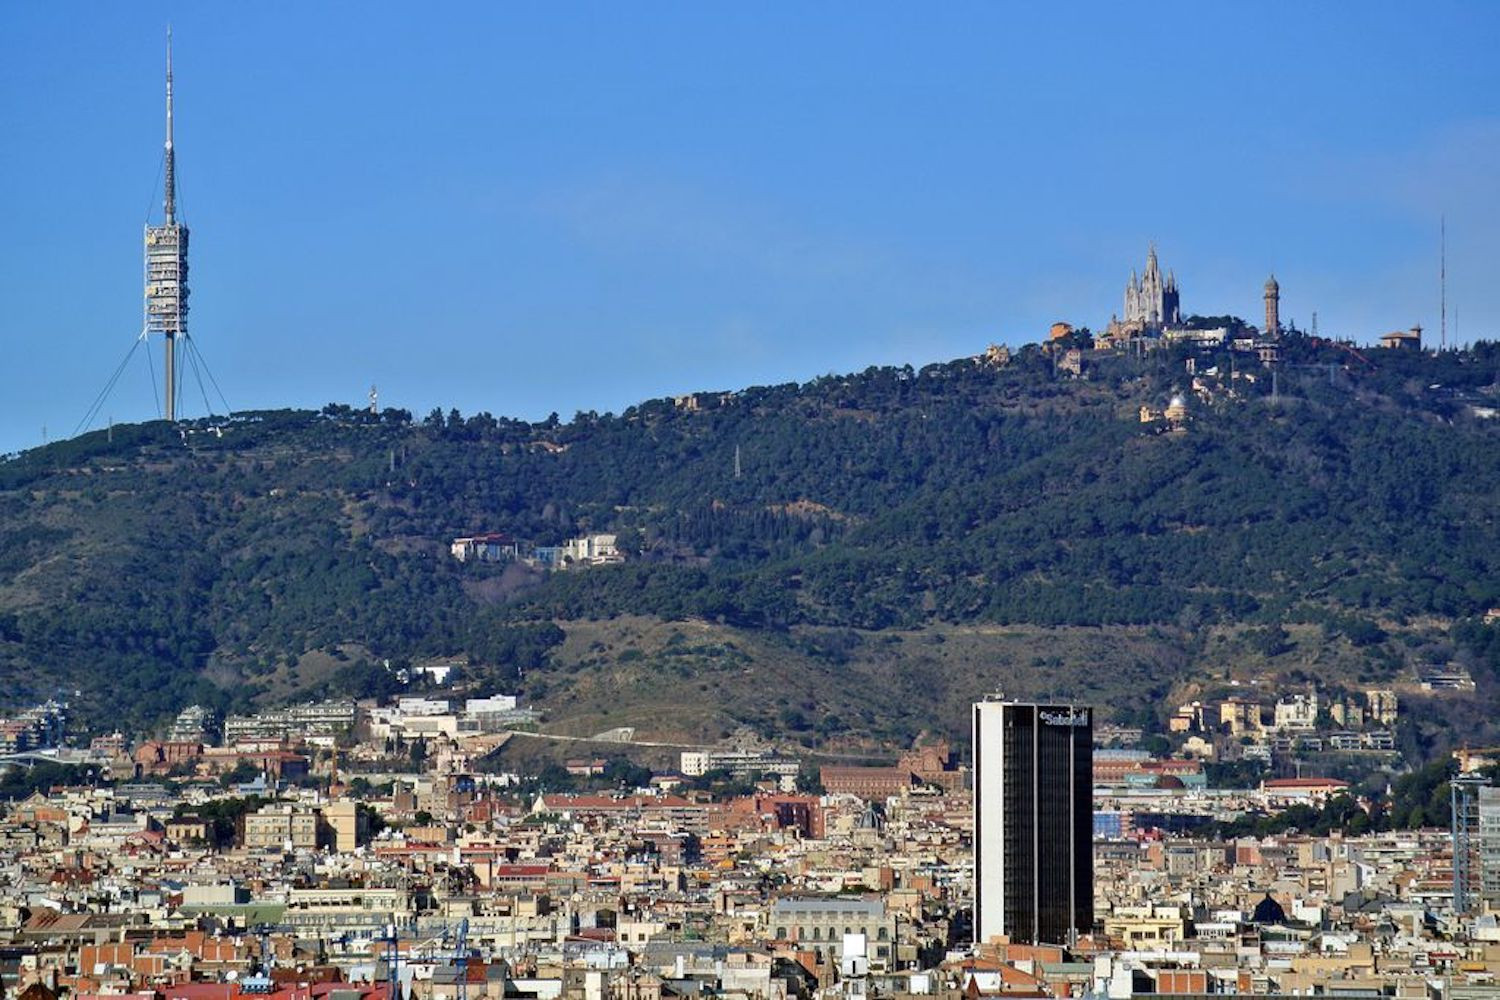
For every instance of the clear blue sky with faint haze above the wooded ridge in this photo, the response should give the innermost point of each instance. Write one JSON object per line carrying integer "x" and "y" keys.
{"x": 539, "y": 208}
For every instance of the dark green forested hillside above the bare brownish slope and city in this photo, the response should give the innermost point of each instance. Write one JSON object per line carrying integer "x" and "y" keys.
{"x": 155, "y": 566}
